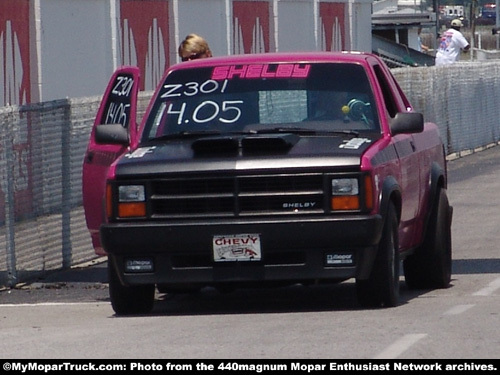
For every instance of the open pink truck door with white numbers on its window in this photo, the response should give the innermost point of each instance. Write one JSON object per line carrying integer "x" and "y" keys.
{"x": 118, "y": 106}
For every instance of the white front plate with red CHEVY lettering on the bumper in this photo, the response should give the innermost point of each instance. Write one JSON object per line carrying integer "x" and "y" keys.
{"x": 237, "y": 247}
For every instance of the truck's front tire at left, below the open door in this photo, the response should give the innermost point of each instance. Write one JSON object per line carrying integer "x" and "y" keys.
{"x": 127, "y": 300}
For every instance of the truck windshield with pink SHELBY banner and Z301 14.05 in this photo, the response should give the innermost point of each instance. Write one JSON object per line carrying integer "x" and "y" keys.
{"x": 252, "y": 98}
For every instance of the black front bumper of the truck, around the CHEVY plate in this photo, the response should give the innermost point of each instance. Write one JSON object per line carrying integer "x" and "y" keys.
{"x": 292, "y": 250}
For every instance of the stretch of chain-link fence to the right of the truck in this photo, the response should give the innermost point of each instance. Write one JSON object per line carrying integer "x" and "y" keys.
{"x": 461, "y": 98}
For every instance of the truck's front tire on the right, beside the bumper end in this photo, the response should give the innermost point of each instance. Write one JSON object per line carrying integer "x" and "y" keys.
{"x": 382, "y": 287}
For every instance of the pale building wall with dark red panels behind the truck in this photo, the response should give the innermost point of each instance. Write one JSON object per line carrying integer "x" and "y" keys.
{"x": 52, "y": 49}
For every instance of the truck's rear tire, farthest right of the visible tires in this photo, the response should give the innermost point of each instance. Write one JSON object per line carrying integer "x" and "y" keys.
{"x": 430, "y": 266}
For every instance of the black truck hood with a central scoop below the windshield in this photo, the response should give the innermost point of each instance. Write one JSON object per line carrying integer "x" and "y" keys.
{"x": 250, "y": 152}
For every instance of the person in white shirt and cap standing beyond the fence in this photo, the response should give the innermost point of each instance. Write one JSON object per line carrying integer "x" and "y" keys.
{"x": 452, "y": 42}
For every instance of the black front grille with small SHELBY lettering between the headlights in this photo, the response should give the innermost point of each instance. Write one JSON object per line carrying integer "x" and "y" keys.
{"x": 238, "y": 196}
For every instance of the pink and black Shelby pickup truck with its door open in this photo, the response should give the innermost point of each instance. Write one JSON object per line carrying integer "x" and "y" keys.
{"x": 314, "y": 163}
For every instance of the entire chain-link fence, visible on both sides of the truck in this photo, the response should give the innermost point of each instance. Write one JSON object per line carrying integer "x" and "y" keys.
{"x": 42, "y": 224}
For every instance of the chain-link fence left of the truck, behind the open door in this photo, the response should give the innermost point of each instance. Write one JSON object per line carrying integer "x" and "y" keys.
{"x": 42, "y": 223}
